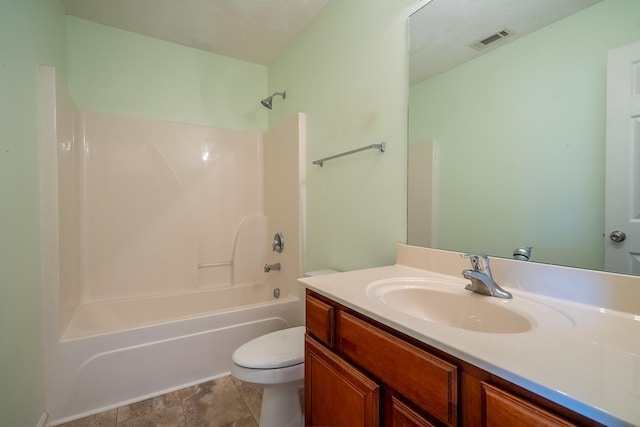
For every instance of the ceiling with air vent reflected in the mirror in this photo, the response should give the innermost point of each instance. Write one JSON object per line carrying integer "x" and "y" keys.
{"x": 441, "y": 32}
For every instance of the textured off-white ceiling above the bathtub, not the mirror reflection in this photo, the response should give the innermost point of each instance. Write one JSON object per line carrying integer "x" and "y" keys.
{"x": 251, "y": 30}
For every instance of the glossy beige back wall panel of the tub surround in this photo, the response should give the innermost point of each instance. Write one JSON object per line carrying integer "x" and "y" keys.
{"x": 149, "y": 182}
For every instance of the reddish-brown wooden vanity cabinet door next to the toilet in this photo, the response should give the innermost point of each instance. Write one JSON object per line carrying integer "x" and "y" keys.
{"x": 337, "y": 394}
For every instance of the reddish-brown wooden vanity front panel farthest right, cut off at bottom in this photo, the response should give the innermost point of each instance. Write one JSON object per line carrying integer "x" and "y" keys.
{"x": 505, "y": 409}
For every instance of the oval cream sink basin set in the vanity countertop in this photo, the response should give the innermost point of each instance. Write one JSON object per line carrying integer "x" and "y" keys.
{"x": 449, "y": 304}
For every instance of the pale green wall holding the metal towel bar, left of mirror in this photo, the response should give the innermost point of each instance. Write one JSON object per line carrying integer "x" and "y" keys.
{"x": 348, "y": 73}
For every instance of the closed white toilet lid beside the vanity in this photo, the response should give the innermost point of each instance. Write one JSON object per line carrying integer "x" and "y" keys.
{"x": 278, "y": 349}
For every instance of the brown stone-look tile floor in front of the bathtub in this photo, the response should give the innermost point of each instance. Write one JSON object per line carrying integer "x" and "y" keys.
{"x": 224, "y": 402}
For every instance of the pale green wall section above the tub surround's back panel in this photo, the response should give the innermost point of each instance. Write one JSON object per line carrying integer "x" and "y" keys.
{"x": 112, "y": 70}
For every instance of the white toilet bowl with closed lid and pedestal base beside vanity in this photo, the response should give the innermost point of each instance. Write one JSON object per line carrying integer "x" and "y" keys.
{"x": 275, "y": 361}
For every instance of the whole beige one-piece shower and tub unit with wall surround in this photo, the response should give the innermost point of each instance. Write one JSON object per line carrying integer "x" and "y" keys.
{"x": 155, "y": 239}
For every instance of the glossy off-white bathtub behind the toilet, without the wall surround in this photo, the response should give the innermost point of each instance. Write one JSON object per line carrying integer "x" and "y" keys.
{"x": 119, "y": 352}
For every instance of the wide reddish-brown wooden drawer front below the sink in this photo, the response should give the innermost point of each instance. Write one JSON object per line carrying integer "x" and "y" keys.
{"x": 428, "y": 381}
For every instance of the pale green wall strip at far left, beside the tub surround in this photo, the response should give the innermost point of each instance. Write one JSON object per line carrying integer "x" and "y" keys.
{"x": 32, "y": 32}
